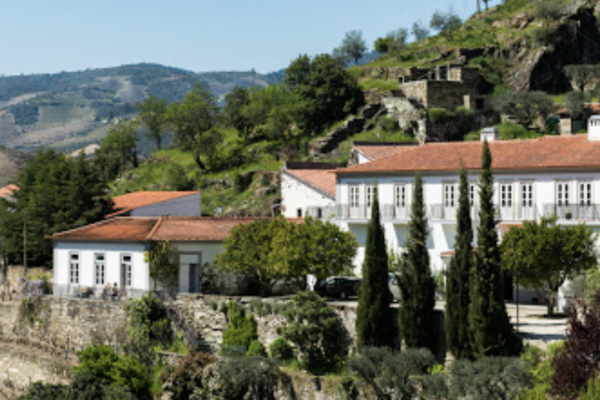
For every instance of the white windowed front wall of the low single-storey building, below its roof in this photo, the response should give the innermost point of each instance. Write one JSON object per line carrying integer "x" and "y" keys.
{"x": 79, "y": 265}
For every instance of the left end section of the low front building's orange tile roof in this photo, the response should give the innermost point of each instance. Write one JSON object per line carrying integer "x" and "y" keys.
{"x": 121, "y": 229}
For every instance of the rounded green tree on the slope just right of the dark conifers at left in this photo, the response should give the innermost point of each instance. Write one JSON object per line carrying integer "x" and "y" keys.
{"x": 118, "y": 150}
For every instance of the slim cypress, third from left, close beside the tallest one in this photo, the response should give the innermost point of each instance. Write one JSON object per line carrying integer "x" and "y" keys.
{"x": 458, "y": 296}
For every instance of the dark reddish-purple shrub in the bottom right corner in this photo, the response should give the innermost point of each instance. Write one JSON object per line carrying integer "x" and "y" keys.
{"x": 579, "y": 360}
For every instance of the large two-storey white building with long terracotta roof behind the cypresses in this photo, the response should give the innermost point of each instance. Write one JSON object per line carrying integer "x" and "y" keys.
{"x": 533, "y": 178}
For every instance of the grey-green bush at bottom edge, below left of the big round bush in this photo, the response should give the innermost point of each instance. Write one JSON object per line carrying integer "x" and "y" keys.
{"x": 248, "y": 378}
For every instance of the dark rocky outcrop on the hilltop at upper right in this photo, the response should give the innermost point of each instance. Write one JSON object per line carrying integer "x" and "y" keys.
{"x": 576, "y": 40}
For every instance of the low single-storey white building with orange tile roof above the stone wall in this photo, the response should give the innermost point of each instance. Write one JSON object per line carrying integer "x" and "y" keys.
{"x": 114, "y": 252}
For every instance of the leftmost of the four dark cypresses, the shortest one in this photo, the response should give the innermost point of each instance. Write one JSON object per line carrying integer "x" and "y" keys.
{"x": 374, "y": 325}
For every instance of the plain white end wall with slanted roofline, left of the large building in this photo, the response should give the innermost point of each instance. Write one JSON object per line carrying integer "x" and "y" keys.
{"x": 296, "y": 195}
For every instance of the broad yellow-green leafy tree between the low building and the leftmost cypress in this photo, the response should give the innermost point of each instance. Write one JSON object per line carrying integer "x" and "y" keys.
{"x": 277, "y": 249}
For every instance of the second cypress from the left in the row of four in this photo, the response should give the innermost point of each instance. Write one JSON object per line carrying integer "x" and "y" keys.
{"x": 417, "y": 286}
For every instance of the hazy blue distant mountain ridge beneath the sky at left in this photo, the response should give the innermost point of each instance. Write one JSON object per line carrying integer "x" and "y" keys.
{"x": 69, "y": 110}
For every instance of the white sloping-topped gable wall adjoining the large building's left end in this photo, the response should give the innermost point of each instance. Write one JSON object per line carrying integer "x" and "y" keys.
{"x": 300, "y": 199}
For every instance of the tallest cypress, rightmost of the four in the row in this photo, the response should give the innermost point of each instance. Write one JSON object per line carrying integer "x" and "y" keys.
{"x": 489, "y": 324}
